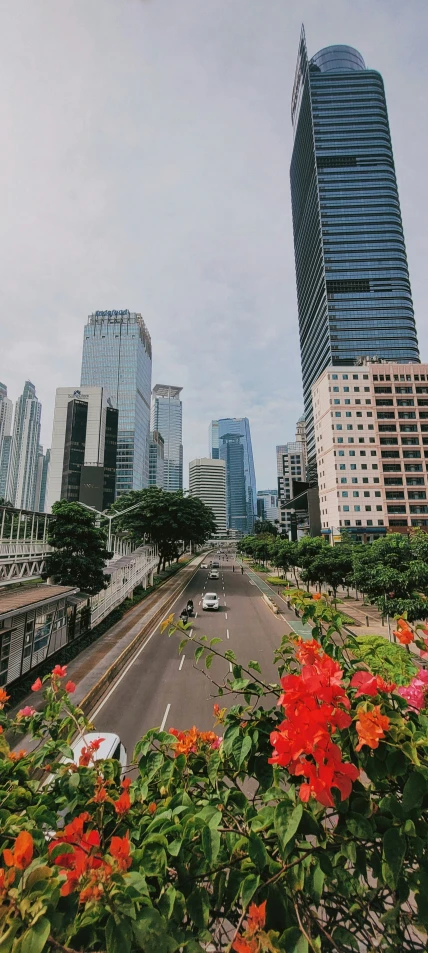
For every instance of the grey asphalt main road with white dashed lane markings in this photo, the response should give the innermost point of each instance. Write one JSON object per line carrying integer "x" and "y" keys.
{"x": 159, "y": 687}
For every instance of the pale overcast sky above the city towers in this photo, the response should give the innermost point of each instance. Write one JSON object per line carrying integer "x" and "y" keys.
{"x": 145, "y": 161}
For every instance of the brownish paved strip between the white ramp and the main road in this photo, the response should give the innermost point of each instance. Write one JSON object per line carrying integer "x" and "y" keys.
{"x": 87, "y": 668}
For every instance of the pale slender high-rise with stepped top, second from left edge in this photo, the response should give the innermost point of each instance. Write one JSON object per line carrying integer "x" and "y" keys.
{"x": 24, "y": 450}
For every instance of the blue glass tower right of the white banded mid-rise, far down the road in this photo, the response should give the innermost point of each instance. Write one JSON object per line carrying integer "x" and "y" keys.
{"x": 235, "y": 448}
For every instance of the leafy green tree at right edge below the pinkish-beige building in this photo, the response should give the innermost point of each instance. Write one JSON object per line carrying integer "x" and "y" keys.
{"x": 393, "y": 574}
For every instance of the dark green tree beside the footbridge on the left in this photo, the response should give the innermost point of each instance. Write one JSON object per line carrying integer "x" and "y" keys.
{"x": 80, "y": 552}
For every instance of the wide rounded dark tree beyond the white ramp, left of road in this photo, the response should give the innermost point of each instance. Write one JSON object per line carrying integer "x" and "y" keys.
{"x": 167, "y": 519}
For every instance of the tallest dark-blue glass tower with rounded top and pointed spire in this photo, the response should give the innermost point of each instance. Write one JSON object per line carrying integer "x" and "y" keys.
{"x": 353, "y": 288}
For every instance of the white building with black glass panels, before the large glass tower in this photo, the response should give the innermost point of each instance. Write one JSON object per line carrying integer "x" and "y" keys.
{"x": 84, "y": 446}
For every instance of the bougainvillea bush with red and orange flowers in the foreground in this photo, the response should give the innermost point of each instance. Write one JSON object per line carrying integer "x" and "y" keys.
{"x": 298, "y": 824}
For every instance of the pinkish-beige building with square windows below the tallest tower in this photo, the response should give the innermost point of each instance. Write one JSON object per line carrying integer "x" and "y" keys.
{"x": 371, "y": 432}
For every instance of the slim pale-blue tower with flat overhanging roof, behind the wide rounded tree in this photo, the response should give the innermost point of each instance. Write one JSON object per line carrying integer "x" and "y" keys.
{"x": 167, "y": 419}
